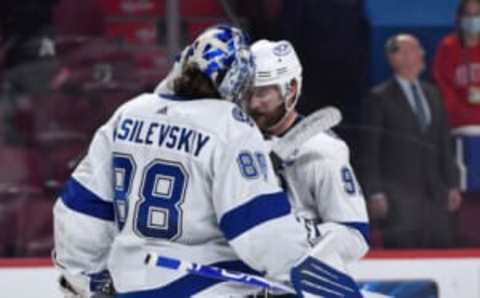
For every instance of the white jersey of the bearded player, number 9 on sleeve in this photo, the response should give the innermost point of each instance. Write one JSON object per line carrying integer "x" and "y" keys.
{"x": 323, "y": 189}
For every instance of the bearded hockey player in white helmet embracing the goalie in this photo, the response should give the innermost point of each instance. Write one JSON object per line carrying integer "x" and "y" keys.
{"x": 319, "y": 178}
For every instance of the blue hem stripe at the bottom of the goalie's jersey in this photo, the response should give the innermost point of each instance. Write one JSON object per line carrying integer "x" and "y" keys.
{"x": 190, "y": 284}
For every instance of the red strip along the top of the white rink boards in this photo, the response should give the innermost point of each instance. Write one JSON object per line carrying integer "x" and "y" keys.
{"x": 372, "y": 255}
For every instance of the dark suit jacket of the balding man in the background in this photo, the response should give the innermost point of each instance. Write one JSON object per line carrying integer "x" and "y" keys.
{"x": 399, "y": 158}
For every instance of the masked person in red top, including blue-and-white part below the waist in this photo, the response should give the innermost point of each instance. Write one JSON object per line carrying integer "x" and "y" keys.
{"x": 456, "y": 69}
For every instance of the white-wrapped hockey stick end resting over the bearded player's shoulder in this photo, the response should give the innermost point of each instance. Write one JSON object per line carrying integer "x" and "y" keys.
{"x": 321, "y": 120}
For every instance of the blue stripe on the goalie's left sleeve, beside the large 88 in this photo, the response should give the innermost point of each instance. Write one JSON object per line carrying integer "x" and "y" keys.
{"x": 76, "y": 197}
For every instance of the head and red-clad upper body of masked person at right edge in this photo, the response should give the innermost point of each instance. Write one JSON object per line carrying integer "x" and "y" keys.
{"x": 456, "y": 66}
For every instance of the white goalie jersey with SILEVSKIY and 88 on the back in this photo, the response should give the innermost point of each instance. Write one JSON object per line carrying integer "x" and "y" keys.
{"x": 188, "y": 179}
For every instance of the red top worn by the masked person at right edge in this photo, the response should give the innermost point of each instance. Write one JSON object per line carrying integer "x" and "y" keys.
{"x": 450, "y": 73}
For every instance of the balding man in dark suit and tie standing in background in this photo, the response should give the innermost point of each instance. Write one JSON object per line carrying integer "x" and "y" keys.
{"x": 410, "y": 176}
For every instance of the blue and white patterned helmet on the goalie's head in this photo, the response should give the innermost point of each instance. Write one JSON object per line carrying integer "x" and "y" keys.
{"x": 222, "y": 53}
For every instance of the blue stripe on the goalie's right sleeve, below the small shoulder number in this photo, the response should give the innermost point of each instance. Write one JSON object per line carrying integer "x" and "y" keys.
{"x": 256, "y": 211}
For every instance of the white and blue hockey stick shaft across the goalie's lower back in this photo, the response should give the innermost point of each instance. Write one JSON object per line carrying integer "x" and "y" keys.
{"x": 154, "y": 260}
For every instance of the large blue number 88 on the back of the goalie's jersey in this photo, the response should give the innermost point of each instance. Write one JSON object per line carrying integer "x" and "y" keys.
{"x": 158, "y": 213}
